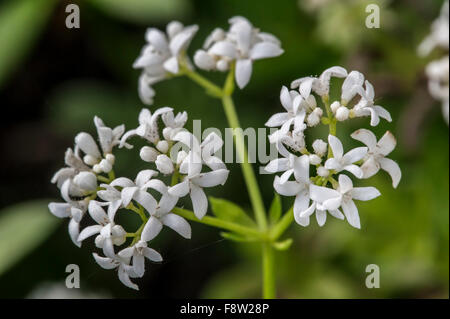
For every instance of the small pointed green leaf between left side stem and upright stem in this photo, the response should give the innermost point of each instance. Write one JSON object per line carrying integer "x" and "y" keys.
{"x": 226, "y": 210}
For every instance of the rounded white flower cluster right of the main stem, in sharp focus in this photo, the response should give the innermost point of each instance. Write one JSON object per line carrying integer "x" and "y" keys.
{"x": 322, "y": 192}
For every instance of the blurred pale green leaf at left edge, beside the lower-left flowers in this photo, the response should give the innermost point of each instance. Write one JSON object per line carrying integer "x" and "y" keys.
{"x": 22, "y": 228}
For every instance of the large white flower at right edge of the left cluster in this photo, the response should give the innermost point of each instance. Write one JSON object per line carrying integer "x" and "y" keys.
{"x": 194, "y": 181}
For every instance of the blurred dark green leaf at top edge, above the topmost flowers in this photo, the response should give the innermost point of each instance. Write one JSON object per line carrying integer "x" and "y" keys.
{"x": 144, "y": 11}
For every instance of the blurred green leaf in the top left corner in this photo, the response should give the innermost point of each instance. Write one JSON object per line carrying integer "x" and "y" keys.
{"x": 21, "y": 21}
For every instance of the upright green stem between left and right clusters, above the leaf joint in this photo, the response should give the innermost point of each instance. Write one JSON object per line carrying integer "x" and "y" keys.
{"x": 247, "y": 170}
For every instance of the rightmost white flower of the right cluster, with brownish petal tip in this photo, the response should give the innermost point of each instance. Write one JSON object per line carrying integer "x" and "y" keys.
{"x": 375, "y": 158}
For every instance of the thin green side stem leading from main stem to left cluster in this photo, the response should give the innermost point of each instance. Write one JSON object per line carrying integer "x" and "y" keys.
{"x": 212, "y": 221}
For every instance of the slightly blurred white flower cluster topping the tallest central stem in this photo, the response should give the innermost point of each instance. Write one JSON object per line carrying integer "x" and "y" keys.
{"x": 164, "y": 55}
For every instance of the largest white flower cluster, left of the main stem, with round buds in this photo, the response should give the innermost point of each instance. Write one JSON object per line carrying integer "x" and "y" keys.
{"x": 147, "y": 195}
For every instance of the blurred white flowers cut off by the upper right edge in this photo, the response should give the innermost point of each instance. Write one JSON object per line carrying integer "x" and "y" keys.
{"x": 438, "y": 70}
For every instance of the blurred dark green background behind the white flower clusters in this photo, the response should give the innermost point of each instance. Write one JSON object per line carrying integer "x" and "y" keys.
{"x": 53, "y": 80}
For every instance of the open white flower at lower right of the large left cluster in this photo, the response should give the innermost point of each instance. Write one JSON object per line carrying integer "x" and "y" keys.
{"x": 163, "y": 216}
